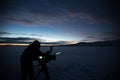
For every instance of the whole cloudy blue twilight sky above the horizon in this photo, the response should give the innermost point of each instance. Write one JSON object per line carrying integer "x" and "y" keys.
{"x": 62, "y": 21}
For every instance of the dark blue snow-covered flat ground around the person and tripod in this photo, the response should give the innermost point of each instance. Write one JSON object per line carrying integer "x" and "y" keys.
{"x": 74, "y": 63}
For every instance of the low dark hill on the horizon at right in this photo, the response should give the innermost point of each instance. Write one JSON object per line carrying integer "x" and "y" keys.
{"x": 99, "y": 43}
